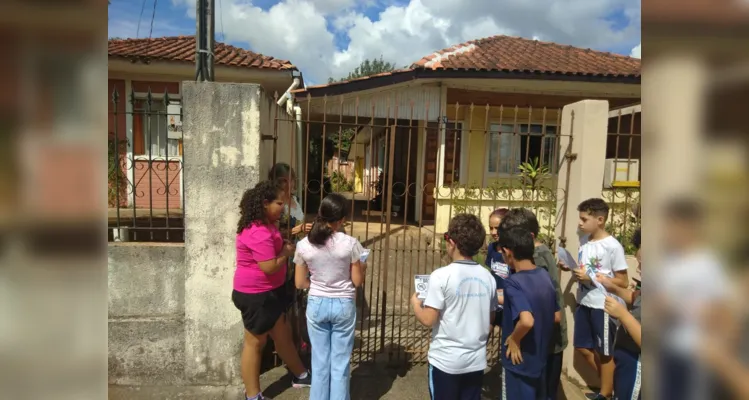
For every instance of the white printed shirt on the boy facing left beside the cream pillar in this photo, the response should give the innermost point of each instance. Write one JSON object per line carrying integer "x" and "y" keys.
{"x": 604, "y": 256}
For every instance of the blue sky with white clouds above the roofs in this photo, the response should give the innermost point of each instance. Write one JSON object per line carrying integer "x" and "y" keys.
{"x": 330, "y": 37}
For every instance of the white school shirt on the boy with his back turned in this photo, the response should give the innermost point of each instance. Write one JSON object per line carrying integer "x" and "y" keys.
{"x": 465, "y": 293}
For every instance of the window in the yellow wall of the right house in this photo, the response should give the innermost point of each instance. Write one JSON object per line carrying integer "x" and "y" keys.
{"x": 508, "y": 147}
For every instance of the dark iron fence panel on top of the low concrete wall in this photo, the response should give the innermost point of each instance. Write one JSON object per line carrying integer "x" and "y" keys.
{"x": 145, "y": 167}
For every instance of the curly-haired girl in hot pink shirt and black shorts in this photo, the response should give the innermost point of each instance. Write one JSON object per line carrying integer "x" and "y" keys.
{"x": 259, "y": 292}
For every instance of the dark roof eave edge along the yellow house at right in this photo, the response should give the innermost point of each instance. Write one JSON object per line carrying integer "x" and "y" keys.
{"x": 424, "y": 73}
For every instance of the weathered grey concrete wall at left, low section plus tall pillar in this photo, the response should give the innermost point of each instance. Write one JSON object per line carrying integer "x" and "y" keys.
{"x": 171, "y": 319}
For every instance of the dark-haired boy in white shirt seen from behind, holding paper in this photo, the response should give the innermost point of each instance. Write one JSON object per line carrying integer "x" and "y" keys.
{"x": 459, "y": 307}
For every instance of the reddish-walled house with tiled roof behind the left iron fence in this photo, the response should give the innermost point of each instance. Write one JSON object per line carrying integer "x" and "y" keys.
{"x": 145, "y": 78}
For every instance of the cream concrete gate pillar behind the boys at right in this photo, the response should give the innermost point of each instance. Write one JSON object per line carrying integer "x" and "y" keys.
{"x": 584, "y": 132}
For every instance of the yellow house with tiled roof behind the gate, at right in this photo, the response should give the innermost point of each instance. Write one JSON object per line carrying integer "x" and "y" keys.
{"x": 466, "y": 116}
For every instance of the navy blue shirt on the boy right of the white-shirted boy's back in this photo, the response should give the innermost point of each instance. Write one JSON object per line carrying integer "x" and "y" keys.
{"x": 530, "y": 291}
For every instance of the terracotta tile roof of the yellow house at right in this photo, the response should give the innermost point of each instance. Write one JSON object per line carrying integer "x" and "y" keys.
{"x": 505, "y": 53}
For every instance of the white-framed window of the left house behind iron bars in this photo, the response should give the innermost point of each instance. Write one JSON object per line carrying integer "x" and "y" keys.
{"x": 156, "y": 130}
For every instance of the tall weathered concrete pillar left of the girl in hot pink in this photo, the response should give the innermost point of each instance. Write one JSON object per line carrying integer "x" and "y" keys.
{"x": 222, "y": 158}
